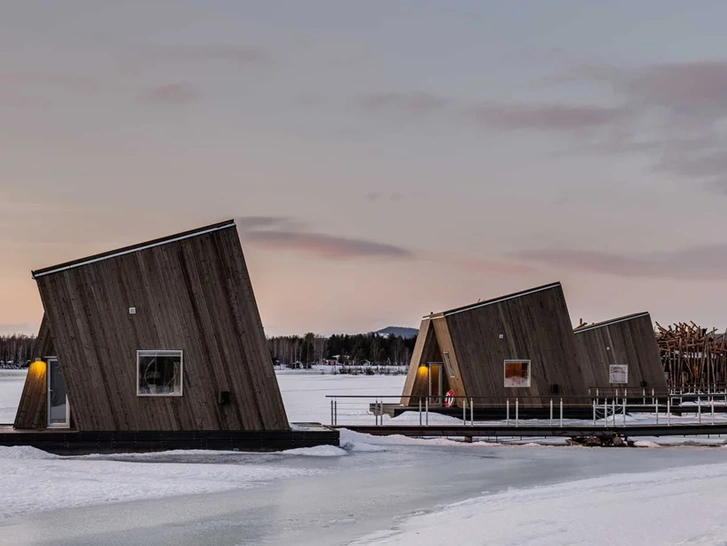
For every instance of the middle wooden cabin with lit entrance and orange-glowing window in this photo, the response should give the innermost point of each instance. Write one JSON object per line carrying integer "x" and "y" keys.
{"x": 516, "y": 346}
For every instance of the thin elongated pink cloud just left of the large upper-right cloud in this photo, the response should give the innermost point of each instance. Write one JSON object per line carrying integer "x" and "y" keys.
{"x": 546, "y": 117}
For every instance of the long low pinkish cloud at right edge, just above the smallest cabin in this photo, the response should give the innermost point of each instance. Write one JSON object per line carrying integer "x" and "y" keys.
{"x": 705, "y": 262}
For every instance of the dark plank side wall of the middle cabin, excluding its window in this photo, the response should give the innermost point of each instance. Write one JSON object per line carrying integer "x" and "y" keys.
{"x": 535, "y": 325}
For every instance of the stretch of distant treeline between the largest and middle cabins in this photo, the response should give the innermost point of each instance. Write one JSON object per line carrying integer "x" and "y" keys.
{"x": 342, "y": 349}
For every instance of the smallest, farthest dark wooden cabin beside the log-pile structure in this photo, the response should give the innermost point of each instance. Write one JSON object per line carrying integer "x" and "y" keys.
{"x": 623, "y": 353}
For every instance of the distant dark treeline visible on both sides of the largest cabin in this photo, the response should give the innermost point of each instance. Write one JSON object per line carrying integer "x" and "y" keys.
{"x": 17, "y": 350}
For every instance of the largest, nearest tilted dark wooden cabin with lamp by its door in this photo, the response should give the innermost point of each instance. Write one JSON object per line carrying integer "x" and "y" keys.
{"x": 160, "y": 336}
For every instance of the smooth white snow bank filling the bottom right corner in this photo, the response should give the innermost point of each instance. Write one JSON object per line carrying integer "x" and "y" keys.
{"x": 638, "y": 508}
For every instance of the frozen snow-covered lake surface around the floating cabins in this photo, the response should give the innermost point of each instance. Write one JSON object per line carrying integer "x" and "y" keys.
{"x": 374, "y": 491}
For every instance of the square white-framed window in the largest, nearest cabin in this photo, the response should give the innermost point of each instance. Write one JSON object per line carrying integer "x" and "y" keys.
{"x": 159, "y": 373}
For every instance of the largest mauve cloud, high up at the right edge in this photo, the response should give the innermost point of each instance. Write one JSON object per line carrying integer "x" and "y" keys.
{"x": 676, "y": 112}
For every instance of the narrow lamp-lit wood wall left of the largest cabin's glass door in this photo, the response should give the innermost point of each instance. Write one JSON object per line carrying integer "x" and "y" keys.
{"x": 32, "y": 408}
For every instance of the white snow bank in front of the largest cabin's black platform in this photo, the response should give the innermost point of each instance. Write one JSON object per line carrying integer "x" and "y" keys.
{"x": 33, "y": 481}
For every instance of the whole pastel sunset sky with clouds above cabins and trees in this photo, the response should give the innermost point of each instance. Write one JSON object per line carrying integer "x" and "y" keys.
{"x": 384, "y": 159}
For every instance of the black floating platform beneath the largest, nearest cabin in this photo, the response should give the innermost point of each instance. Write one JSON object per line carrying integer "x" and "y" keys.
{"x": 71, "y": 442}
